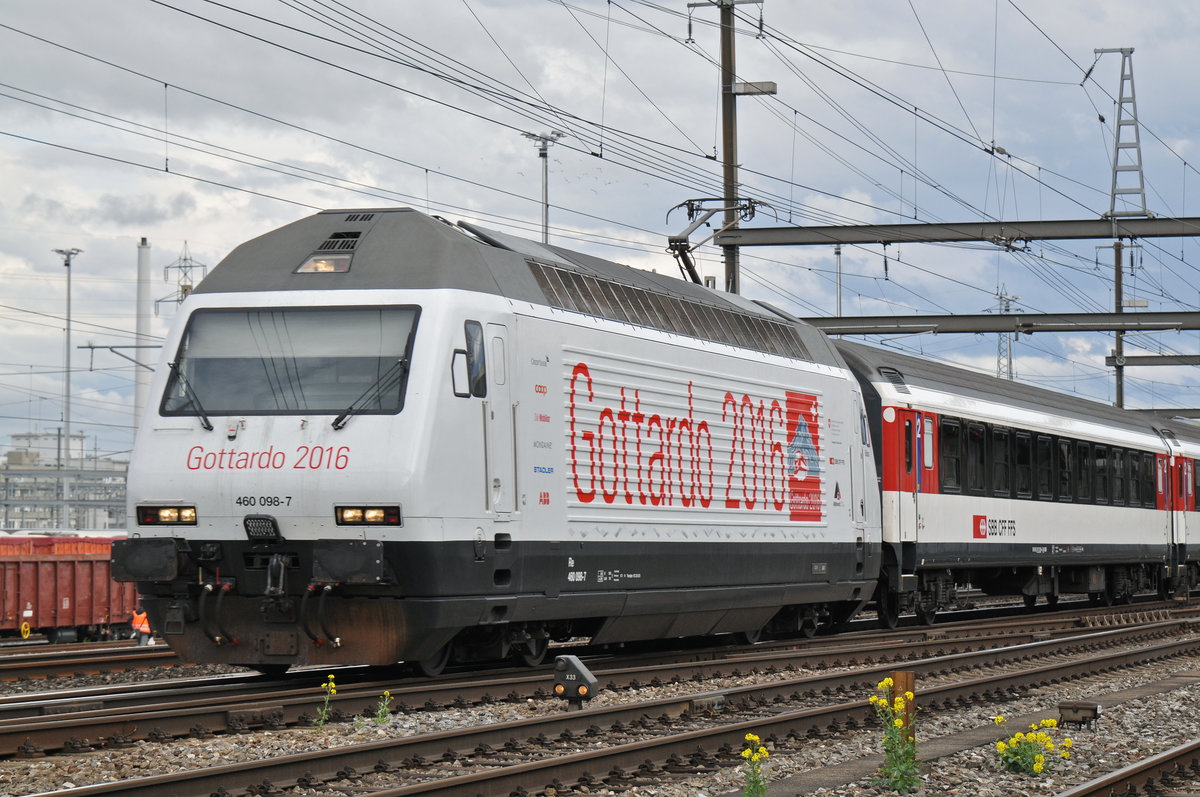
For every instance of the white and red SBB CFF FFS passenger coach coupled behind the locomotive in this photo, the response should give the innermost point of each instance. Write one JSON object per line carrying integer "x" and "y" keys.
{"x": 1013, "y": 489}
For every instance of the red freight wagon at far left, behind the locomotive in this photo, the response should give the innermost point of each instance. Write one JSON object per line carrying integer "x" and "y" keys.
{"x": 61, "y": 586}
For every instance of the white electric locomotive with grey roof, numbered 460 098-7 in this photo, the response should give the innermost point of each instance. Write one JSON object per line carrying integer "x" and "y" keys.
{"x": 380, "y": 438}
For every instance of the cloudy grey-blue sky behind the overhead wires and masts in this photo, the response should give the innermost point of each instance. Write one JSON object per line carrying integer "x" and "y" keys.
{"x": 200, "y": 125}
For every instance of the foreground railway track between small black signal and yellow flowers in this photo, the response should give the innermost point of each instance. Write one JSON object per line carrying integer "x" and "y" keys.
{"x": 687, "y": 733}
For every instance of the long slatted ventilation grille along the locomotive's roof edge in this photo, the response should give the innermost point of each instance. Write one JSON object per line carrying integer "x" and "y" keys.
{"x": 592, "y": 296}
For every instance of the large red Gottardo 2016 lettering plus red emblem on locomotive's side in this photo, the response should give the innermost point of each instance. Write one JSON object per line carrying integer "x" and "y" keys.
{"x": 757, "y": 453}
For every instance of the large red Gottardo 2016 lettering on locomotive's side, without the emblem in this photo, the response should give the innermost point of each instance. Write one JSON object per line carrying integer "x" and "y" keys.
{"x": 656, "y": 460}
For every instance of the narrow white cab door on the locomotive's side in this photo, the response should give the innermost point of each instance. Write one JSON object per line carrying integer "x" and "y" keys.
{"x": 499, "y": 420}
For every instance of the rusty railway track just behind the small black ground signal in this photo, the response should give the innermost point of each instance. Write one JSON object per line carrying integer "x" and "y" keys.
{"x": 79, "y": 721}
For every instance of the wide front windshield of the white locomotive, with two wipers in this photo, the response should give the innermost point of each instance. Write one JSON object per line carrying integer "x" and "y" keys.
{"x": 292, "y": 361}
